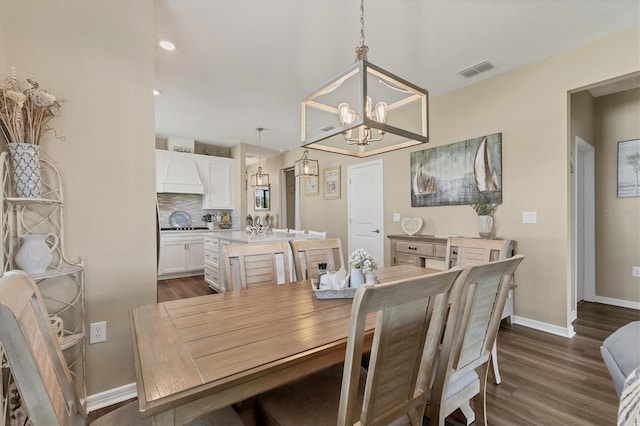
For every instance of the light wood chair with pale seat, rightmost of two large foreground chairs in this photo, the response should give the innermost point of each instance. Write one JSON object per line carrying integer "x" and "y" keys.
{"x": 477, "y": 299}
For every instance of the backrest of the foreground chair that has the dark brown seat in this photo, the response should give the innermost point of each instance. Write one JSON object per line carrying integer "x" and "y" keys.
{"x": 403, "y": 343}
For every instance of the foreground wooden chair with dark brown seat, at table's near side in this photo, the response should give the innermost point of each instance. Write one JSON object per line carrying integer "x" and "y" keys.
{"x": 409, "y": 325}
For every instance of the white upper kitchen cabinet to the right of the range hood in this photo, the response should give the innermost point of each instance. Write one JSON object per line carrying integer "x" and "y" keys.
{"x": 216, "y": 174}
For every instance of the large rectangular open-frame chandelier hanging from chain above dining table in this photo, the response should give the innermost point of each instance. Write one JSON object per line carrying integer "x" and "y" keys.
{"x": 365, "y": 110}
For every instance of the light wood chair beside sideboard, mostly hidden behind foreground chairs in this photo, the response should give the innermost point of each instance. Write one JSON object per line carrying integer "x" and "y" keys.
{"x": 463, "y": 251}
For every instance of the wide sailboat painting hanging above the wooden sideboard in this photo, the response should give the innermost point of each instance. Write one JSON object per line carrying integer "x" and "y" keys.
{"x": 458, "y": 173}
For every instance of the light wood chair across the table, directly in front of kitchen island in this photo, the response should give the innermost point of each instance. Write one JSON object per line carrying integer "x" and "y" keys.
{"x": 254, "y": 265}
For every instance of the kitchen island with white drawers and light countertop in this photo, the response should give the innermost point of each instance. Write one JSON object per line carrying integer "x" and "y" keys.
{"x": 214, "y": 272}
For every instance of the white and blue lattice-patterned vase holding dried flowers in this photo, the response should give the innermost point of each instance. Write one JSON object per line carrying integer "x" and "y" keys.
{"x": 25, "y": 159}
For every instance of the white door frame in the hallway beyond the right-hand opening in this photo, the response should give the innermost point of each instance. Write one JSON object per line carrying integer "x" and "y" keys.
{"x": 584, "y": 195}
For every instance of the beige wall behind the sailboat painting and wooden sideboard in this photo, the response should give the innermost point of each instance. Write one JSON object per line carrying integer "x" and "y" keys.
{"x": 529, "y": 106}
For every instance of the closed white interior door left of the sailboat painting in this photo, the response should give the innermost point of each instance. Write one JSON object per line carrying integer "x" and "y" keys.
{"x": 366, "y": 208}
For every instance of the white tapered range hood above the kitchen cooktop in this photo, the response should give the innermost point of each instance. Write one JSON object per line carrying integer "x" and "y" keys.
{"x": 176, "y": 172}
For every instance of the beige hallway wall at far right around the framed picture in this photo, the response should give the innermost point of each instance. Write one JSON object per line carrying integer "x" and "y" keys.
{"x": 617, "y": 118}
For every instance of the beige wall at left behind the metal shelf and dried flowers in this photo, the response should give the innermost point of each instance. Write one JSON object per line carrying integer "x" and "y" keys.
{"x": 99, "y": 57}
